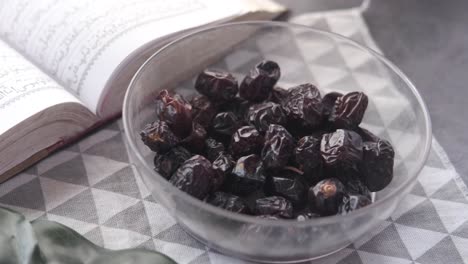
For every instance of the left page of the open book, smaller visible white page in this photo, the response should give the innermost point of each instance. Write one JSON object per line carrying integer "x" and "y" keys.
{"x": 24, "y": 89}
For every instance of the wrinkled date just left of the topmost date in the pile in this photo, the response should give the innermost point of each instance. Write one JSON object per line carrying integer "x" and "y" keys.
{"x": 217, "y": 85}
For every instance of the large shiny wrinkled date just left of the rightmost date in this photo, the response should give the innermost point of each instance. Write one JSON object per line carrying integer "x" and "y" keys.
{"x": 342, "y": 149}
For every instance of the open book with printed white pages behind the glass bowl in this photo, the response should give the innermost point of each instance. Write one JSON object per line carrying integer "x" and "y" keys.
{"x": 65, "y": 64}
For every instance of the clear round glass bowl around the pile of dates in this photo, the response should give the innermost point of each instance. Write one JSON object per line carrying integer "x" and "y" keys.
{"x": 396, "y": 112}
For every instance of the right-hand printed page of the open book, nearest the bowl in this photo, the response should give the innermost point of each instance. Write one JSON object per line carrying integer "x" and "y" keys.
{"x": 81, "y": 43}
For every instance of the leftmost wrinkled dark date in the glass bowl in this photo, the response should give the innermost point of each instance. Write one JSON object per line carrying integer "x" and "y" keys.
{"x": 159, "y": 137}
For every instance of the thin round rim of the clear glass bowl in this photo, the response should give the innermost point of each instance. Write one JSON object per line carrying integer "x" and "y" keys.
{"x": 327, "y": 220}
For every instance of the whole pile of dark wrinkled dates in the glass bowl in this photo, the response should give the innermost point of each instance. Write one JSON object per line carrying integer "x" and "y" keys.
{"x": 251, "y": 147}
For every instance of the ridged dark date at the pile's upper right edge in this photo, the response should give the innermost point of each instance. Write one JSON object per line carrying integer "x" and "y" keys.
{"x": 349, "y": 110}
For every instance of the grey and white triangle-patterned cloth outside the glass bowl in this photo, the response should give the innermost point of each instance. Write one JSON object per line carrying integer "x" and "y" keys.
{"x": 91, "y": 188}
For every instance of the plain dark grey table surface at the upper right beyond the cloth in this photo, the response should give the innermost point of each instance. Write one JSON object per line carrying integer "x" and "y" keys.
{"x": 428, "y": 40}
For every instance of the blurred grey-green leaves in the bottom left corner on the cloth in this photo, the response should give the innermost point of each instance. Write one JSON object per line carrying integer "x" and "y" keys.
{"x": 47, "y": 242}
